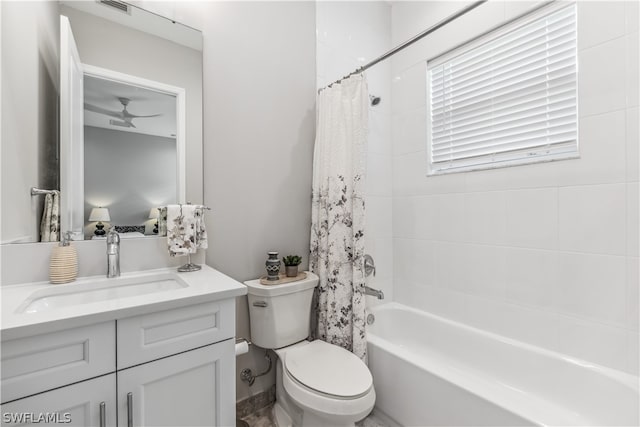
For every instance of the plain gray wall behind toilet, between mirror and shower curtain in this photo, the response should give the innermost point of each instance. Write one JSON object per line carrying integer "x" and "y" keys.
{"x": 259, "y": 105}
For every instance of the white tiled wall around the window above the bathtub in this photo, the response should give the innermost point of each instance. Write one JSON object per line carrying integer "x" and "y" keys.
{"x": 544, "y": 253}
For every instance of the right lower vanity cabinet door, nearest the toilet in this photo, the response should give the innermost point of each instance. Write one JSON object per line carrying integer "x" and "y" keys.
{"x": 195, "y": 388}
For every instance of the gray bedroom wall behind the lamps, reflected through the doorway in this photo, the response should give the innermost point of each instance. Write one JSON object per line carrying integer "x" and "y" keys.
{"x": 130, "y": 173}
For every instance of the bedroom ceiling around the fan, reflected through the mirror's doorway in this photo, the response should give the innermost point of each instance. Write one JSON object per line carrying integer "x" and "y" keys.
{"x": 104, "y": 94}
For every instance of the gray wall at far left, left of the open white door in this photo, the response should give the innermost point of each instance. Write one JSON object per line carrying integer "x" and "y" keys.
{"x": 30, "y": 34}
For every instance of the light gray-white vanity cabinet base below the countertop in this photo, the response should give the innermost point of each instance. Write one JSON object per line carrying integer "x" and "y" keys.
{"x": 171, "y": 367}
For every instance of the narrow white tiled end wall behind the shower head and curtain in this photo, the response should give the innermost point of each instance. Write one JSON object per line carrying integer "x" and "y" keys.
{"x": 350, "y": 34}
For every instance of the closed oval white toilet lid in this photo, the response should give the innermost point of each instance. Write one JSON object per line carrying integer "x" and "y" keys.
{"x": 329, "y": 369}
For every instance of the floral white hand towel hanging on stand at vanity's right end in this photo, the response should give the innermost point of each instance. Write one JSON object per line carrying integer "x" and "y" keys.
{"x": 186, "y": 232}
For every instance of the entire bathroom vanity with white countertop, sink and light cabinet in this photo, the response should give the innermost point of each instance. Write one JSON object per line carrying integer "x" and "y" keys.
{"x": 153, "y": 348}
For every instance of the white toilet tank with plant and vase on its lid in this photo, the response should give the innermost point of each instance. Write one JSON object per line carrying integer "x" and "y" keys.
{"x": 280, "y": 314}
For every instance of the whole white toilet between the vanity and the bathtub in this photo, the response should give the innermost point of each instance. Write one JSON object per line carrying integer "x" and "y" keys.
{"x": 317, "y": 384}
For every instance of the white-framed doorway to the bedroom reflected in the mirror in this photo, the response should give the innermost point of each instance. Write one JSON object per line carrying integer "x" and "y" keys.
{"x": 132, "y": 142}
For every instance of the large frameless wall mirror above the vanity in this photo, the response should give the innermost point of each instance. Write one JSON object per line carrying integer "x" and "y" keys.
{"x": 122, "y": 171}
